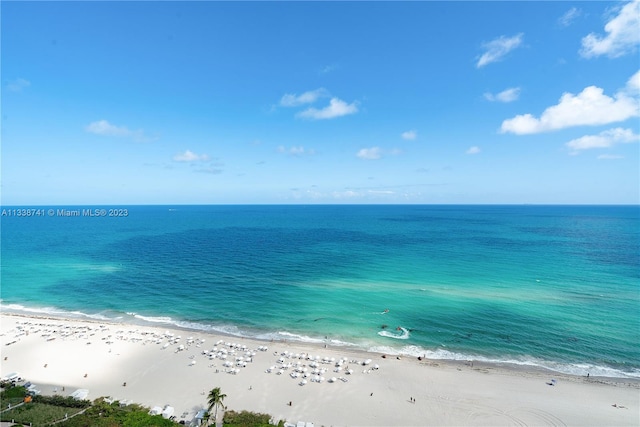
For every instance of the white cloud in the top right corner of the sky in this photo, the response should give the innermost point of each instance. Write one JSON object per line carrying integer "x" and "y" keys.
{"x": 622, "y": 34}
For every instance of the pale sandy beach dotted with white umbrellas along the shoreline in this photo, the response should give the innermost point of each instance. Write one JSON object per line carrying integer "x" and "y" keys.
{"x": 176, "y": 367}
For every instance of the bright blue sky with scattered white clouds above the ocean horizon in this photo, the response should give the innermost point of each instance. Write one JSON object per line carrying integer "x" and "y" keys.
{"x": 320, "y": 102}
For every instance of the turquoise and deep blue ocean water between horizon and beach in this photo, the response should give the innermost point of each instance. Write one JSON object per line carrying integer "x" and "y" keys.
{"x": 553, "y": 286}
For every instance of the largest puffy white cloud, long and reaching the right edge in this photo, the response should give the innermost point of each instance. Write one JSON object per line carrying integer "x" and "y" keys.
{"x": 590, "y": 107}
